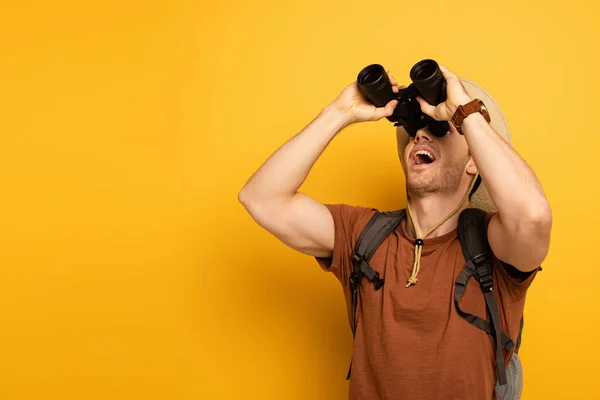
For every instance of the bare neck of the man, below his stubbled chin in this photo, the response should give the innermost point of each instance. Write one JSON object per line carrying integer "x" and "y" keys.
{"x": 430, "y": 210}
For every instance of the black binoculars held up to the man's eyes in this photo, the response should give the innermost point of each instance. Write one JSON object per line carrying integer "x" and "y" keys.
{"x": 427, "y": 82}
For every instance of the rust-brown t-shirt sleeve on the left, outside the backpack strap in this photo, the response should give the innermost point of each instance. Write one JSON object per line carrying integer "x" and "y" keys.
{"x": 348, "y": 221}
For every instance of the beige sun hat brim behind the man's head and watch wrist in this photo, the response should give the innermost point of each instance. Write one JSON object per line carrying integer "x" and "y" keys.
{"x": 481, "y": 198}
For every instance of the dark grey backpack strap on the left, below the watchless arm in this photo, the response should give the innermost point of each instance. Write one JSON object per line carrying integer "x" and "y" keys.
{"x": 374, "y": 233}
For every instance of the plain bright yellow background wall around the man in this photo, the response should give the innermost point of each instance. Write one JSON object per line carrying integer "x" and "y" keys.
{"x": 128, "y": 268}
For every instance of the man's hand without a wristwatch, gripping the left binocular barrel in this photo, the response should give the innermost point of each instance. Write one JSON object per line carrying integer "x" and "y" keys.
{"x": 356, "y": 107}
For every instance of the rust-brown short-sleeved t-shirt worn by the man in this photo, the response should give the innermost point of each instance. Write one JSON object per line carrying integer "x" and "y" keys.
{"x": 411, "y": 343}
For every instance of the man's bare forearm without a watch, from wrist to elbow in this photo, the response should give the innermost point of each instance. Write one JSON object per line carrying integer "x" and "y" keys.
{"x": 282, "y": 174}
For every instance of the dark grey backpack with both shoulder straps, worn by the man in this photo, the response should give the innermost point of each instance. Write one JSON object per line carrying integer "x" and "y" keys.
{"x": 475, "y": 247}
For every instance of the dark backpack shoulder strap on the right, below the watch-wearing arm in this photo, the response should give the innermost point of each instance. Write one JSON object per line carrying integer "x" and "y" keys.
{"x": 472, "y": 234}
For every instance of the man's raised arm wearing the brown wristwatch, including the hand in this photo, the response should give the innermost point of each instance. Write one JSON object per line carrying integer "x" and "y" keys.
{"x": 519, "y": 233}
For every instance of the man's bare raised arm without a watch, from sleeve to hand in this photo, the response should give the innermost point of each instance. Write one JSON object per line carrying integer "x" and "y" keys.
{"x": 271, "y": 194}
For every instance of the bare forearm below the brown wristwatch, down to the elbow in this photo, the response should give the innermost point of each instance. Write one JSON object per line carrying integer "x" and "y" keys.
{"x": 511, "y": 183}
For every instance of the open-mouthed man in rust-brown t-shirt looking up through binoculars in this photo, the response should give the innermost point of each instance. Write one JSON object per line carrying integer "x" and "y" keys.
{"x": 410, "y": 341}
